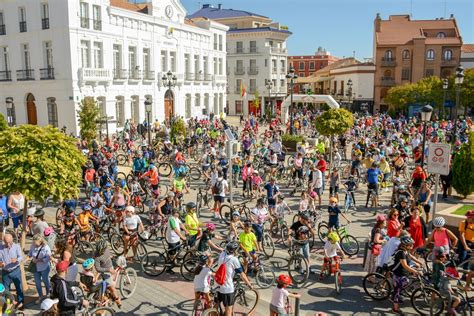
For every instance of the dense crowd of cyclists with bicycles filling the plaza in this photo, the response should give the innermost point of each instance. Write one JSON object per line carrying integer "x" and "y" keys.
{"x": 281, "y": 191}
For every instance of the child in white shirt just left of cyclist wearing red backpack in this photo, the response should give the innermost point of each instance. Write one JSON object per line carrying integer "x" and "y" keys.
{"x": 202, "y": 280}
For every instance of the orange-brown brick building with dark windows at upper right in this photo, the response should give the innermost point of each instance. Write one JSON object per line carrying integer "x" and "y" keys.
{"x": 408, "y": 50}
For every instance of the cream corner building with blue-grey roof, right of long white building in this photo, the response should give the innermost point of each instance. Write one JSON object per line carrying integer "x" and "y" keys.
{"x": 256, "y": 55}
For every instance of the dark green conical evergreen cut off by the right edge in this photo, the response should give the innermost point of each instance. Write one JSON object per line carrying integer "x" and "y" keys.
{"x": 463, "y": 168}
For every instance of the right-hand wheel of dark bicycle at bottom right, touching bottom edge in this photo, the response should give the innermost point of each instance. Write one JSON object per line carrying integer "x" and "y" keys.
{"x": 427, "y": 301}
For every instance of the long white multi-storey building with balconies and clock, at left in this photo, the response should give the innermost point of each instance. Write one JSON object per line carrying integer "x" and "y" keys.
{"x": 54, "y": 53}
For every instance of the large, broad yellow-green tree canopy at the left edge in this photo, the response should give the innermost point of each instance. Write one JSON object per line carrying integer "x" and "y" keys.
{"x": 39, "y": 162}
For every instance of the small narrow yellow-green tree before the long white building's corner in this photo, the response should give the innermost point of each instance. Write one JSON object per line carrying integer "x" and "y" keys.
{"x": 88, "y": 114}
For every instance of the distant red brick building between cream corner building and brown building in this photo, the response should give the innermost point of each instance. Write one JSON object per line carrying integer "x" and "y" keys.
{"x": 306, "y": 66}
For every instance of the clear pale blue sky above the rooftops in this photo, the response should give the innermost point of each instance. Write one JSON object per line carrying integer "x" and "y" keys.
{"x": 344, "y": 26}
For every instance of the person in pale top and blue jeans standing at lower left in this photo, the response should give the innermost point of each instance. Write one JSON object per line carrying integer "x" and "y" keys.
{"x": 40, "y": 255}
